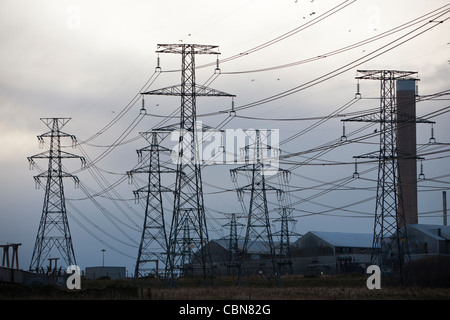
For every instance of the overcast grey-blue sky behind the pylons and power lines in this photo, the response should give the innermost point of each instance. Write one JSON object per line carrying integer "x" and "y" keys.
{"x": 87, "y": 60}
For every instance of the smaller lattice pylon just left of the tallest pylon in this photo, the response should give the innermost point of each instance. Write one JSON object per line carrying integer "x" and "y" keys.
{"x": 153, "y": 246}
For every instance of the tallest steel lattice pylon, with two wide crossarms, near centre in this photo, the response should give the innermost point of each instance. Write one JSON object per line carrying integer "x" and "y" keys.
{"x": 188, "y": 230}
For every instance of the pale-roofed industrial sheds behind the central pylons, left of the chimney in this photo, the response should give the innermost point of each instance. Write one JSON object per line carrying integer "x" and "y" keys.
{"x": 316, "y": 251}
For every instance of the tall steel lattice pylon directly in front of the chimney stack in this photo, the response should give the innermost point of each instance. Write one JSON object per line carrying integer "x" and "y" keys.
{"x": 390, "y": 241}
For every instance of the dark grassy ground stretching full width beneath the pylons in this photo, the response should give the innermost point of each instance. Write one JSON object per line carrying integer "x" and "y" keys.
{"x": 337, "y": 287}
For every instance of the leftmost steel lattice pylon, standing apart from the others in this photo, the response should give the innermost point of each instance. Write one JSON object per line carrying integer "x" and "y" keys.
{"x": 54, "y": 229}
